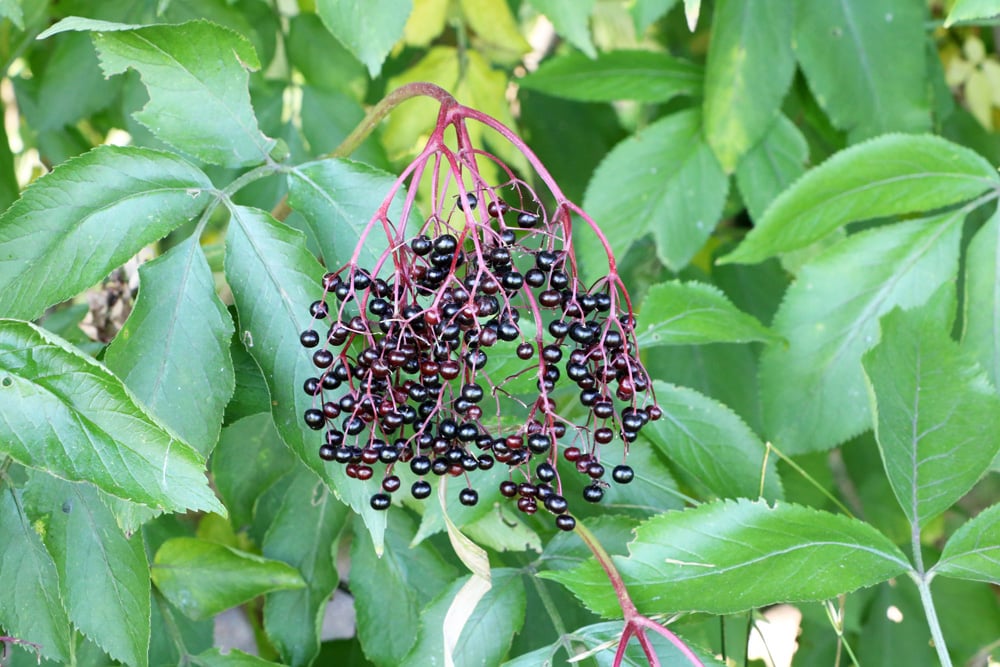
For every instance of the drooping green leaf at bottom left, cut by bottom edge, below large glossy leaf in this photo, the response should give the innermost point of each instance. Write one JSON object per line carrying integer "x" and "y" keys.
{"x": 103, "y": 577}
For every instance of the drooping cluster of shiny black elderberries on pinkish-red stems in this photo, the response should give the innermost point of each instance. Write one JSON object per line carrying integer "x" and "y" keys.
{"x": 405, "y": 349}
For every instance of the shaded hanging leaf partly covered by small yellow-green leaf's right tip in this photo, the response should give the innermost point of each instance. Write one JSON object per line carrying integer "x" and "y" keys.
{"x": 293, "y": 619}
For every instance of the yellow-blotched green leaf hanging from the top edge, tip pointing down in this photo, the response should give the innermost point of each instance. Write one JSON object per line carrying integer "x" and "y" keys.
{"x": 749, "y": 68}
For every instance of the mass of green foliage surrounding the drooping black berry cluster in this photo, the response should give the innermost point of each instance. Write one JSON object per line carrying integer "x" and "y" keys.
{"x": 802, "y": 197}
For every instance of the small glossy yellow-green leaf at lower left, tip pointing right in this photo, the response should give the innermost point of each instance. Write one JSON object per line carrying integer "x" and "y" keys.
{"x": 203, "y": 578}
